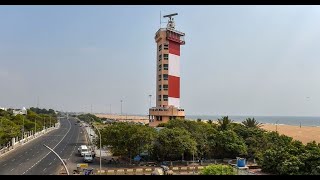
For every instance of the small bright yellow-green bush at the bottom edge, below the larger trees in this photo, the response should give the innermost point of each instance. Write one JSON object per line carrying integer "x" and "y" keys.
{"x": 218, "y": 169}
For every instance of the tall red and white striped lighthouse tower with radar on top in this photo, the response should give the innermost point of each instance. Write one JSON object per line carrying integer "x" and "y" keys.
{"x": 168, "y": 42}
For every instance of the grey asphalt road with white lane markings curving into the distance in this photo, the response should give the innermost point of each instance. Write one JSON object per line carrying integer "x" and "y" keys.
{"x": 35, "y": 159}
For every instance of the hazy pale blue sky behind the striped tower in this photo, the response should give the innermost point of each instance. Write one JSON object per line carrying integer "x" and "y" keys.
{"x": 237, "y": 60}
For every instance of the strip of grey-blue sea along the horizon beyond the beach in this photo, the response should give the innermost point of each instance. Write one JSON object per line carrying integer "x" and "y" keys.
{"x": 288, "y": 120}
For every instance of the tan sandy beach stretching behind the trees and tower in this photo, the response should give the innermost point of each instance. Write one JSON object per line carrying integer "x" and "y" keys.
{"x": 304, "y": 134}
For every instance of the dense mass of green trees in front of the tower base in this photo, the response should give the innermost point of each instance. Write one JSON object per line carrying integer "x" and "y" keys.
{"x": 183, "y": 139}
